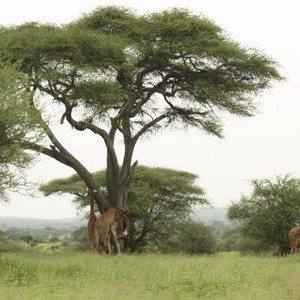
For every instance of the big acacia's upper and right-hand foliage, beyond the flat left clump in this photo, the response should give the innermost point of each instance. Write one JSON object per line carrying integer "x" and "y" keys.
{"x": 198, "y": 62}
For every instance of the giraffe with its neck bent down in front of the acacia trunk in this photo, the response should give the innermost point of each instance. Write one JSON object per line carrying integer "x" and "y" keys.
{"x": 107, "y": 224}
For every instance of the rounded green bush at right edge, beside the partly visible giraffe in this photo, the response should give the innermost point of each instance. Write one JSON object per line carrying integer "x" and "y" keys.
{"x": 270, "y": 212}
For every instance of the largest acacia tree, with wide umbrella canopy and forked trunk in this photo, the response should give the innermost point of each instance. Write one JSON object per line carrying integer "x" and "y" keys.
{"x": 119, "y": 74}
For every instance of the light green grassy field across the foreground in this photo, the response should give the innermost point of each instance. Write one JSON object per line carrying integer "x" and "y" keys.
{"x": 61, "y": 275}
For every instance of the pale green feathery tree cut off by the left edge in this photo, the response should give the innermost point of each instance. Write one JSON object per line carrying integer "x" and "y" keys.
{"x": 17, "y": 121}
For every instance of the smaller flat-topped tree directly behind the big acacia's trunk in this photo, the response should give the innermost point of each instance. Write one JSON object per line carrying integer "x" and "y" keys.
{"x": 159, "y": 199}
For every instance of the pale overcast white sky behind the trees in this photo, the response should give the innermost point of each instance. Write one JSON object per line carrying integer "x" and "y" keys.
{"x": 263, "y": 146}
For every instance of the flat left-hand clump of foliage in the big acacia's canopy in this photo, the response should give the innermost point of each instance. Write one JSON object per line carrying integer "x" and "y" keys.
{"x": 38, "y": 45}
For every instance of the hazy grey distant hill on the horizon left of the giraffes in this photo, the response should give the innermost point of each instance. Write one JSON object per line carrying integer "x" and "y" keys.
{"x": 40, "y": 223}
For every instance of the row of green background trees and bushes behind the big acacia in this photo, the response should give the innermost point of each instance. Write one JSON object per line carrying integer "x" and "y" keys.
{"x": 168, "y": 213}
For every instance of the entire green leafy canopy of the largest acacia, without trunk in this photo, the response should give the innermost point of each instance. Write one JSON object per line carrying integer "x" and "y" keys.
{"x": 111, "y": 55}
